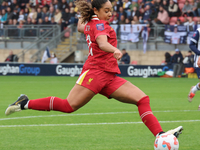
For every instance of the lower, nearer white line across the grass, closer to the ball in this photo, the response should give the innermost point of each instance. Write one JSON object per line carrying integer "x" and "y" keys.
{"x": 90, "y": 124}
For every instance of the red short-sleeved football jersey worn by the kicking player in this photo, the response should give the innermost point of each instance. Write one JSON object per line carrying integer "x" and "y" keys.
{"x": 97, "y": 58}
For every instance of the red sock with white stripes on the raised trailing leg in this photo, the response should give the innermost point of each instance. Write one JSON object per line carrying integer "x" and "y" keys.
{"x": 50, "y": 103}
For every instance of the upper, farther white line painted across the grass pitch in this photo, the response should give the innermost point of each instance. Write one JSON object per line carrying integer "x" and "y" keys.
{"x": 90, "y": 114}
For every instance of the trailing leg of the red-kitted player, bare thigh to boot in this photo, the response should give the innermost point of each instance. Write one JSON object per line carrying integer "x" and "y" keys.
{"x": 77, "y": 97}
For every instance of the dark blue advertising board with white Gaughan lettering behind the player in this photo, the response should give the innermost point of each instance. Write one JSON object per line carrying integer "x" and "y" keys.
{"x": 36, "y": 69}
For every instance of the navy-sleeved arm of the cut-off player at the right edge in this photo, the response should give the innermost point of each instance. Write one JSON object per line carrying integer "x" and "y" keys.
{"x": 193, "y": 43}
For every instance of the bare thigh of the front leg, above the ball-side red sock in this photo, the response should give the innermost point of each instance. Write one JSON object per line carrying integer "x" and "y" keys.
{"x": 128, "y": 93}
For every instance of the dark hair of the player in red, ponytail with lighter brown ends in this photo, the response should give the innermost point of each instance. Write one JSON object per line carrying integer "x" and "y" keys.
{"x": 87, "y": 10}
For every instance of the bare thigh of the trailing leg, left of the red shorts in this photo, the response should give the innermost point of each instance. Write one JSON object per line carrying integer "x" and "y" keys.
{"x": 79, "y": 96}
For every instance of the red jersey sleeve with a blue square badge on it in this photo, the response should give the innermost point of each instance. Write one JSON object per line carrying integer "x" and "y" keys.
{"x": 102, "y": 28}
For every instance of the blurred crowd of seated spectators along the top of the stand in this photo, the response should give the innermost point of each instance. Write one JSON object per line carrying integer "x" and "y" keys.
{"x": 64, "y": 12}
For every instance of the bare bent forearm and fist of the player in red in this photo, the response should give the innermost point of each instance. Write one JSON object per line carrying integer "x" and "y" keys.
{"x": 103, "y": 44}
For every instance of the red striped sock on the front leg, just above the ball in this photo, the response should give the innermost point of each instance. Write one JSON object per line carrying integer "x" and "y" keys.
{"x": 147, "y": 116}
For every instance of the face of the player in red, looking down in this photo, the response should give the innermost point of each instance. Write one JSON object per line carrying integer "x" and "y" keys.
{"x": 104, "y": 13}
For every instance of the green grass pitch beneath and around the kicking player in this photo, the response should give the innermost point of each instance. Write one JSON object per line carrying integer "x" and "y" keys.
{"x": 166, "y": 94}
